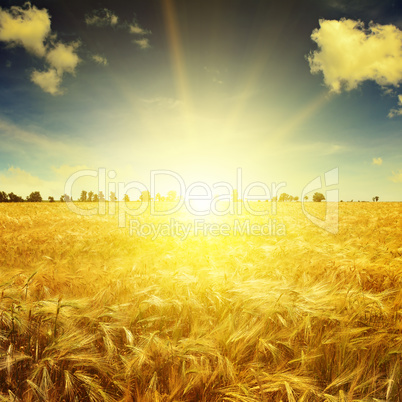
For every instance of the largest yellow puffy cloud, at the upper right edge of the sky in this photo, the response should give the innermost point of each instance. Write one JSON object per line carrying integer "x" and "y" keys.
{"x": 349, "y": 54}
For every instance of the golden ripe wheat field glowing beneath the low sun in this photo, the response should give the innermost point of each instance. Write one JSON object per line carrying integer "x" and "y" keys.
{"x": 90, "y": 311}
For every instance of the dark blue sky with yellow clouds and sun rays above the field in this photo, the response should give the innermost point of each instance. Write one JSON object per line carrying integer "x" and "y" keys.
{"x": 272, "y": 91}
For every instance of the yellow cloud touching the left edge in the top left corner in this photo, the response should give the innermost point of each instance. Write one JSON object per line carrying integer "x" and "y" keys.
{"x": 27, "y": 27}
